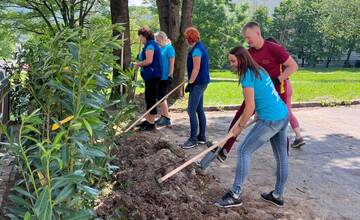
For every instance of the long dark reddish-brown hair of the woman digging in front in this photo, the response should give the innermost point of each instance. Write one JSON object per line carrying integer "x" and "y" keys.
{"x": 245, "y": 61}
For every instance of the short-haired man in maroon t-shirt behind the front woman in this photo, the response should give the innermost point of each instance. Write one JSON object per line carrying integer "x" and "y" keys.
{"x": 280, "y": 65}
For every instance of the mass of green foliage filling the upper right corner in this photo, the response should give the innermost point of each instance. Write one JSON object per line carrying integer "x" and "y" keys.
{"x": 315, "y": 30}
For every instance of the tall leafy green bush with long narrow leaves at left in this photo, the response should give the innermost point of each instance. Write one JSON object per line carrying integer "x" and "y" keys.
{"x": 63, "y": 169}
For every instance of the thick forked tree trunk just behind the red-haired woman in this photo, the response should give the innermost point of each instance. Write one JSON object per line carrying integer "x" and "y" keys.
{"x": 174, "y": 25}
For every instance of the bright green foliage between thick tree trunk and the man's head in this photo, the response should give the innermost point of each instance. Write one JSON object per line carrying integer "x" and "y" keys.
{"x": 219, "y": 23}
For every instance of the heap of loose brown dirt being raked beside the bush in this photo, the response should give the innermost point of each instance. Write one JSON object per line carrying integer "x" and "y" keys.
{"x": 190, "y": 194}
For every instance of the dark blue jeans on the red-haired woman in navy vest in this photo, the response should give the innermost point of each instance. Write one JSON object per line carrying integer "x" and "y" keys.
{"x": 196, "y": 111}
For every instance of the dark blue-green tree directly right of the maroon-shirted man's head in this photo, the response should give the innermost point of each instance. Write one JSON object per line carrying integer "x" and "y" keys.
{"x": 294, "y": 25}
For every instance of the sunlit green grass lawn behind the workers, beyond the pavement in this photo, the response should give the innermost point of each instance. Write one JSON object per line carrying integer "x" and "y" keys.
{"x": 320, "y": 84}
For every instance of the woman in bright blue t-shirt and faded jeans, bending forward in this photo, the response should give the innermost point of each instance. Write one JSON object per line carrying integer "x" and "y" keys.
{"x": 272, "y": 119}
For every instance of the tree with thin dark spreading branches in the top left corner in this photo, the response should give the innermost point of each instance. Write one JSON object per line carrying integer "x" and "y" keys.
{"x": 44, "y": 16}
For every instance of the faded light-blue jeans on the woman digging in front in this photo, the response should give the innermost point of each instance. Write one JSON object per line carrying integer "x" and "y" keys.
{"x": 264, "y": 130}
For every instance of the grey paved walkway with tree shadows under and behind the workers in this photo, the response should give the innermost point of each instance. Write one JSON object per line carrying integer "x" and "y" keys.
{"x": 324, "y": 174}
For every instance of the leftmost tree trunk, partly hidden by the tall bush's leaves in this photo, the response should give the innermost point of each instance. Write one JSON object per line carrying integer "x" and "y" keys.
{"x": 120, "y": 14}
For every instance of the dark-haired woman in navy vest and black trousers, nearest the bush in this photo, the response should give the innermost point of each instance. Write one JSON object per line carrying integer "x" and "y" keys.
{"x": 150, "y": 64}
